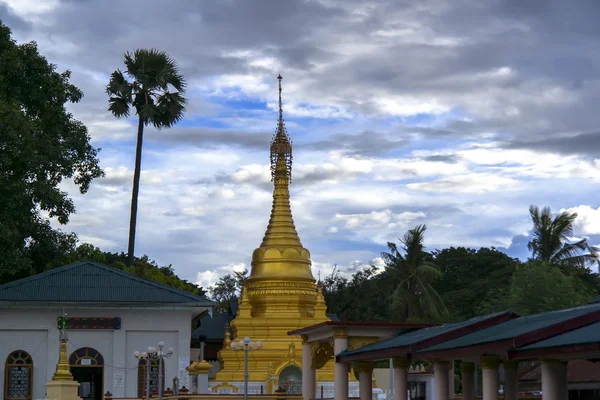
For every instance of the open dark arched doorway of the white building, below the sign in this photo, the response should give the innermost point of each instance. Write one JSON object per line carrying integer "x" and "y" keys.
{"x": 87, "y": 367}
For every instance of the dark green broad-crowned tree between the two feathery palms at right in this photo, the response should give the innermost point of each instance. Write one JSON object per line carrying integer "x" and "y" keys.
{"x": 468, "y": 275}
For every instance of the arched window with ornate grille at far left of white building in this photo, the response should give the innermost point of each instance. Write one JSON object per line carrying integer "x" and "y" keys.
{"x": 18, "y": 373}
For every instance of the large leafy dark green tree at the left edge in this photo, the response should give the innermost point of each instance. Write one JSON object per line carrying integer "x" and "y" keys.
{"x": 40, "y": 146}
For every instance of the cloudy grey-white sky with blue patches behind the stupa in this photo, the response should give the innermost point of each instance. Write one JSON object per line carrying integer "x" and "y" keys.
{"x": 458, "y": 114}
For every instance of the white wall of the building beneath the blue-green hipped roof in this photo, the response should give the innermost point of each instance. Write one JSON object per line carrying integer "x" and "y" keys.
{"x": 35, "y": 331}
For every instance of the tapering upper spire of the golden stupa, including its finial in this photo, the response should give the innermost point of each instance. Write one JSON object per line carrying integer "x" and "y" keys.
{"x": 281, "y": 230}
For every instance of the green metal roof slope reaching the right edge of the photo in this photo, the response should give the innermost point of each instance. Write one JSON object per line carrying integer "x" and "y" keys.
{"x": 514, "y": 328}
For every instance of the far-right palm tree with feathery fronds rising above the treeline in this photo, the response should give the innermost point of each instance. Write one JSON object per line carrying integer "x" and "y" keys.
{"x": 551, "y": 240}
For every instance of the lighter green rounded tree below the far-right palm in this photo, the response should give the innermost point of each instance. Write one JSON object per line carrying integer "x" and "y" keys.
{"x": 538, "y": 287}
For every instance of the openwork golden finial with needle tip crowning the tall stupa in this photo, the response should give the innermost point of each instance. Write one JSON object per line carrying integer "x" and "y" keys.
{"x": 281, "y": 149}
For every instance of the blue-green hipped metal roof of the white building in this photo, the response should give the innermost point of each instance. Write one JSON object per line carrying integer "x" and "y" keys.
{"x": 91, "y": 282}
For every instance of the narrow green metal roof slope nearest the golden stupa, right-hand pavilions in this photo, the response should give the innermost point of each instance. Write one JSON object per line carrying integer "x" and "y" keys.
{"x": 419, "y": 335}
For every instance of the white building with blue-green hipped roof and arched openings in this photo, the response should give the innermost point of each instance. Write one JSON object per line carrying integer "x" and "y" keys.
{"x": 110, "y": 315}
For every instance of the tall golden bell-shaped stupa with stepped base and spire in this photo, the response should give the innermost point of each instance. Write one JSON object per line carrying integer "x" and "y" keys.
{"x": 280, "y": 294}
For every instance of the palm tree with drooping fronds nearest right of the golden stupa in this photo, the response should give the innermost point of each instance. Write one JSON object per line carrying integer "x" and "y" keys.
{"x": 414, "y": 299}
